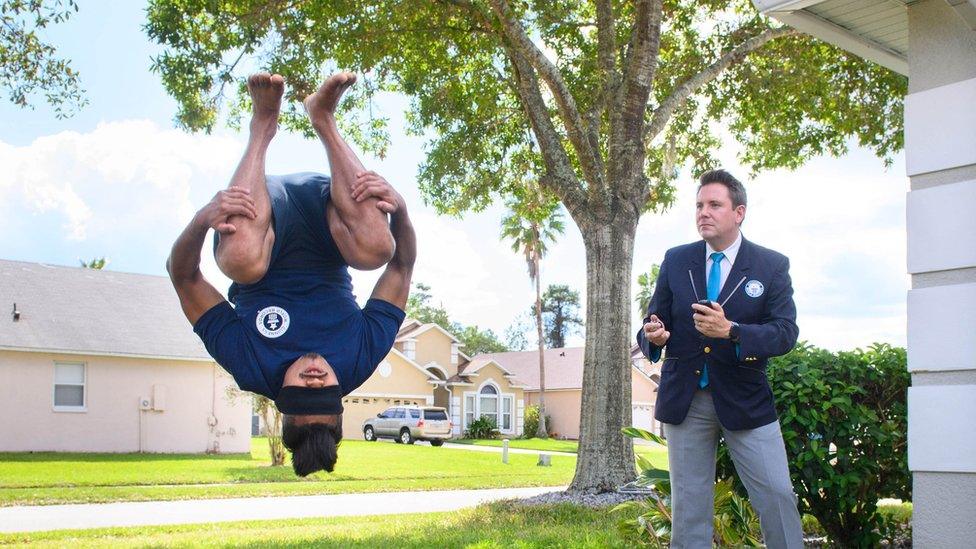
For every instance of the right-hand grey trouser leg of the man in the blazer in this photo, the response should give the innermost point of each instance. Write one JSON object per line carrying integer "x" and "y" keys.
{"x": 759, "y": 456}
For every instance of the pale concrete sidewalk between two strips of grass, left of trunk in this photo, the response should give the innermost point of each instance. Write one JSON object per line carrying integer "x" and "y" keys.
{"x": 146, "y": 513}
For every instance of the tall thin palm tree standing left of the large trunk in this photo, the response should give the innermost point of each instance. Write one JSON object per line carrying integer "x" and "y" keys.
{"x": 533, "y": 221}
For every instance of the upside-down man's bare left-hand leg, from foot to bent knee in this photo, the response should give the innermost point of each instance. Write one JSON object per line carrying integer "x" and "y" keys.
{"x": 244, "y": 255}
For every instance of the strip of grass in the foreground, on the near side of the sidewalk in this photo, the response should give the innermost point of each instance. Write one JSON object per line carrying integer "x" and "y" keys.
{"x": 489, "y": 526}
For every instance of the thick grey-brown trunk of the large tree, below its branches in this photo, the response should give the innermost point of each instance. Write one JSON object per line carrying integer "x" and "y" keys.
{"x": 606, "y": 457}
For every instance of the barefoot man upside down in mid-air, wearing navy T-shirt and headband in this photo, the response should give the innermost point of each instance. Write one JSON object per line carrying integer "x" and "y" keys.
{"x": 295, "y": 333}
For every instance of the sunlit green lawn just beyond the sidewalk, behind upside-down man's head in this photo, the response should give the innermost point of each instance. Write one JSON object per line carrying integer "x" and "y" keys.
{"x": 48, "y": 478}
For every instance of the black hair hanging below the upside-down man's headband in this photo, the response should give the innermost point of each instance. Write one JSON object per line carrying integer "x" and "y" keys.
{"x": 313, "y": 446}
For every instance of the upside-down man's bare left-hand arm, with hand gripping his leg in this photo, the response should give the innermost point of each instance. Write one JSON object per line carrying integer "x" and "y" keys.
{"x": 197, "y": 296}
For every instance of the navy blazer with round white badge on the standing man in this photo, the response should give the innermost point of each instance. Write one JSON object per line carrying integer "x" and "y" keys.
{"x": 762, "y": 305}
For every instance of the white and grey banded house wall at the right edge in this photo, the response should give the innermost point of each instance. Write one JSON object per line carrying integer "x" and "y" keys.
{"x": 940, "y": 151}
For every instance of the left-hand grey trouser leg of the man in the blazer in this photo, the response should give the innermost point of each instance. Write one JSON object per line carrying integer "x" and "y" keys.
{"x": 691, "y": 458}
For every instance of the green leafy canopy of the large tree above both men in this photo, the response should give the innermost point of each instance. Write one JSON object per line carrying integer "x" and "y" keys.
{"x": 785, "y": 102}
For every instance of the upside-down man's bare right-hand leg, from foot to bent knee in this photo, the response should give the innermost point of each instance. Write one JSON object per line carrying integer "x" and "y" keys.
{"x": 360, "y": 230}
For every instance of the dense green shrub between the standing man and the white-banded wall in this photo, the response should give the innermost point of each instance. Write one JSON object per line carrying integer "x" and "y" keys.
{"x": 844, "y": 424}
